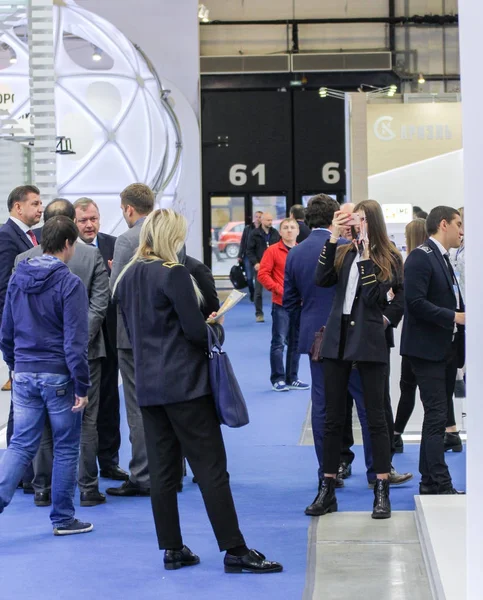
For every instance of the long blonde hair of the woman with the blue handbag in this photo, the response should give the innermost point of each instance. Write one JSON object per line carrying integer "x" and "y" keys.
{"x": 162, "y": 237}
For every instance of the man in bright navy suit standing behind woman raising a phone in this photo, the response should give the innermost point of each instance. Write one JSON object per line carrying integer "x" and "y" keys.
{"x": 315, "y": 303}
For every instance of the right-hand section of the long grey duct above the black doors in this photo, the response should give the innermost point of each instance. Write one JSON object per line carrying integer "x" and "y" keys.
{"x": 341, "y": 61}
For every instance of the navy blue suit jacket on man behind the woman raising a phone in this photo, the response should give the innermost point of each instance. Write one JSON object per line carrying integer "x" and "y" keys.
{"x": 300, "y": 289}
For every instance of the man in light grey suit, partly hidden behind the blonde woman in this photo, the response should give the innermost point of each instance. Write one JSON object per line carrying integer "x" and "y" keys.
{"x": 137, "y": 201}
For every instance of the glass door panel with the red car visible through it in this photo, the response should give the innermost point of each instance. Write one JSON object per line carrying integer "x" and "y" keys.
{"x": 227, "y": 224}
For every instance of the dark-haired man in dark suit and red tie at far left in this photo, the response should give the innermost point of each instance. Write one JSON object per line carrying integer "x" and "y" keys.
{"x": 16, "y": 236}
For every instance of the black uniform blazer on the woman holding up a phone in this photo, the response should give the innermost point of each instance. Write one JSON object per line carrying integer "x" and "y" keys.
{"x": 366, "y": 338}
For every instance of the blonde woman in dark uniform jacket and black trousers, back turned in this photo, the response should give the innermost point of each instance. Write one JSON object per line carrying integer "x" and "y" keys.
{"x": 160, "y": 305}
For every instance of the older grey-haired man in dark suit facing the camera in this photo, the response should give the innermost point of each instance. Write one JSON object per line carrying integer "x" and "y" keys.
{"x": 88, "y": 221}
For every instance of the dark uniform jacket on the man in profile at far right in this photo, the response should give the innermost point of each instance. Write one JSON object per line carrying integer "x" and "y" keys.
{"x": 430, "y": 305}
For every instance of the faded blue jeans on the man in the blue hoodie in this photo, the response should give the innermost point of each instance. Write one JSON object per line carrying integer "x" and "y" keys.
{"x": 34, "y": 396}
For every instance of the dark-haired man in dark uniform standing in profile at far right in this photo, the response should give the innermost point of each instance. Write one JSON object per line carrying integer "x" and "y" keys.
{"x": 433, "y": 339}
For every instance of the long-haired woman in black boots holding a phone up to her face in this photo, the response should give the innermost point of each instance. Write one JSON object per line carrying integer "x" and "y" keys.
{"x": 364, "y": 271}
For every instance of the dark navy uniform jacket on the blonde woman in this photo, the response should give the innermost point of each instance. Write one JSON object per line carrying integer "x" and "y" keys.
{"x": 167, "y": 331}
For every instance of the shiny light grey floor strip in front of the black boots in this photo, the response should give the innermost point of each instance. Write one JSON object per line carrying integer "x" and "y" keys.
{"x": 352, "y": 556}
